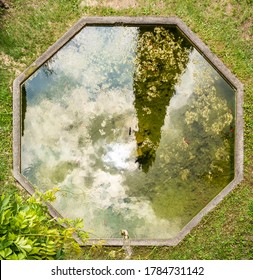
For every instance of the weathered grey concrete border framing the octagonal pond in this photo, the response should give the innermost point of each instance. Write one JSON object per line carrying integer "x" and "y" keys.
{"x": 135, "y": 21}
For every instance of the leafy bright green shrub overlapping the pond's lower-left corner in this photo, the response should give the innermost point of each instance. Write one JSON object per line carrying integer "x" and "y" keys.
{"x": 28, "y": 232}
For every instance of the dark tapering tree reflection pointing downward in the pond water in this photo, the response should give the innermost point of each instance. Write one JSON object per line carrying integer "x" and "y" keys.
{"x": 161, "y": 59}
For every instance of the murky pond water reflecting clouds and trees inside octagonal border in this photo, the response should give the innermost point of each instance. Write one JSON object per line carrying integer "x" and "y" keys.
{"x": 133, "y": 126}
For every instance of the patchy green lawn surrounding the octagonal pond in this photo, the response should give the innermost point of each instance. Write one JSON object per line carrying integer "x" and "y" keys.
{"x": 29, "y": 27}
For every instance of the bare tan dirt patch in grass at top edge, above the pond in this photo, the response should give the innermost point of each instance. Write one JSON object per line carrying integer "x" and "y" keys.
{"x": 115, "y": 4}
